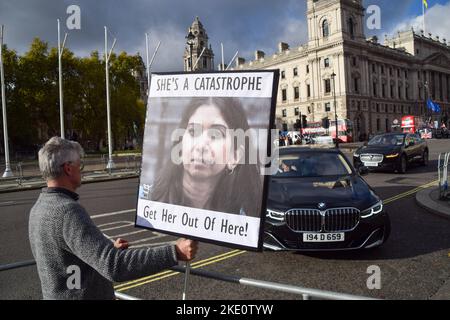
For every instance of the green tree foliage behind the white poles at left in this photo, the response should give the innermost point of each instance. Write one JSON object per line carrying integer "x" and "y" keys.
{"x": 33, "y": 97}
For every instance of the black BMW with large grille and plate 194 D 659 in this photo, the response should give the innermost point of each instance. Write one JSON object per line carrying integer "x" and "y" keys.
{"x": 317, "y": 201}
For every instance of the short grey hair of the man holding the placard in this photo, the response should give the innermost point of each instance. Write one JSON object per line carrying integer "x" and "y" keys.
{"x": 55, "y": 153}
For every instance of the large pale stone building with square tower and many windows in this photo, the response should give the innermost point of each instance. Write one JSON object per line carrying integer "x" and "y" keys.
{"x": 374, "y": 84}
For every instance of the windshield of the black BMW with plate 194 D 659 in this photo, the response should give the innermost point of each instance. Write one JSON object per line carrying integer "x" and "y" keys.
{"x": 312, "y": 164}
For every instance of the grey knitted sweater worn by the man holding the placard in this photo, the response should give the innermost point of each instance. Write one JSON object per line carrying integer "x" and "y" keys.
{"x": 63, "y": 235}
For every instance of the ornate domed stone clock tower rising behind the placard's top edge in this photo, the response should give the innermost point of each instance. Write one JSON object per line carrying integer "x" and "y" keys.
{"x": 198, "y": 48}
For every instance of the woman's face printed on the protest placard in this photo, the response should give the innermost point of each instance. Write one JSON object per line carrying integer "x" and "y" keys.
{"x": 206, "y": 143}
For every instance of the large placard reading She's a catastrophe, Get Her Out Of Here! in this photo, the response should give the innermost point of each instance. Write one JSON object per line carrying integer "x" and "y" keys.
{"x": 205, "y": 155}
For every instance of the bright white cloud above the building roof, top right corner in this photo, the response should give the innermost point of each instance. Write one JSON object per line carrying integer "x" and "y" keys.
{"x": 436, "y": 19}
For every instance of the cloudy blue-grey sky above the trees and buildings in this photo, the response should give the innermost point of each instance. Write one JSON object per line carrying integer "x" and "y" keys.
{"x": 244, "y": 25}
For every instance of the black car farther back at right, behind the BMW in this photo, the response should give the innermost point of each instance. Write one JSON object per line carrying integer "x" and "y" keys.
{"x": 392, "y": 151}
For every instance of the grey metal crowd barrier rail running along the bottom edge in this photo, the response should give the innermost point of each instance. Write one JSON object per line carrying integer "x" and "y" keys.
{"x": 306, "y": 293}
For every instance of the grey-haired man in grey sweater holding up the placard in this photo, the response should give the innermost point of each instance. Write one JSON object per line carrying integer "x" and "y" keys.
{"x": 66, "y": 243}
